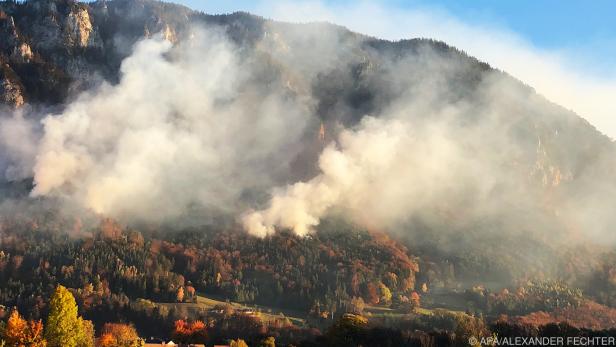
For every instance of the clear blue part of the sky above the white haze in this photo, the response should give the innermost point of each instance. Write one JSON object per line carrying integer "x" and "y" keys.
{"x": 586, "y": 27}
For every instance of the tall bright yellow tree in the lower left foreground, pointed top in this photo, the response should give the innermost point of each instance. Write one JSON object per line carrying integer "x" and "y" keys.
{"x": 64, "y": 327}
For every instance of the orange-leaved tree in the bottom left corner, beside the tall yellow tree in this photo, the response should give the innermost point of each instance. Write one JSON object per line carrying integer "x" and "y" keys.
{"x": 19, "y": 333}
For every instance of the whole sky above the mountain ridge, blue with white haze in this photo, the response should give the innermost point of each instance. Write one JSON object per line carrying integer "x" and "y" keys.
{"x": 563, "y": 48}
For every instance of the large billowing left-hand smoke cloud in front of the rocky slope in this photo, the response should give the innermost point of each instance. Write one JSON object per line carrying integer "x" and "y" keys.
{"x": 185, "y": 127}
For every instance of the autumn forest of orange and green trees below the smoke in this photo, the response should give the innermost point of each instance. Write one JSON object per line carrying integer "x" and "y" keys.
{"x": 345, "y": 282}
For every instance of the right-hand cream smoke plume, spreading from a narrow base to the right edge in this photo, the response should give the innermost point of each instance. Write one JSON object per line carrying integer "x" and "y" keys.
{"x": 482, "y": 161}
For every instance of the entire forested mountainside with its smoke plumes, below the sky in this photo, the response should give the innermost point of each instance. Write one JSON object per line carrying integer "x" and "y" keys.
{"x": 473, "y": 206}
